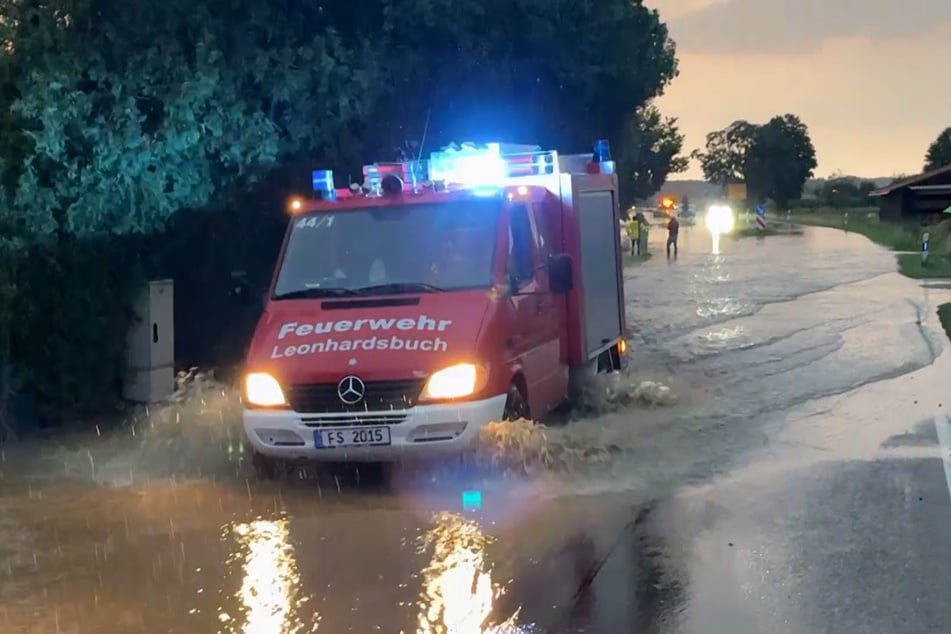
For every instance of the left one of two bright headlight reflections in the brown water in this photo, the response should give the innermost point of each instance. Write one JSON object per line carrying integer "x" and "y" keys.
{"x": 269, "y": 595}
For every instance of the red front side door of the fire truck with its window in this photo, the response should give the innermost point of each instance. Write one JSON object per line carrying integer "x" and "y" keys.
{"x": 535, "y": 339}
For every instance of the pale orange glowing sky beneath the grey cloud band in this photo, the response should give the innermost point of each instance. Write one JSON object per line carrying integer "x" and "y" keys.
{"x": 845, "y": 91}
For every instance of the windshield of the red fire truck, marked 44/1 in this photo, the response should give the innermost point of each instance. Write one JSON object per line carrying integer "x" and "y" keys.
{"x": 389, "y": 250}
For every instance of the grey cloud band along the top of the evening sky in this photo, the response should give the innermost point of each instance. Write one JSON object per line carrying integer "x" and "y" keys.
{"x": 779, "y": 26}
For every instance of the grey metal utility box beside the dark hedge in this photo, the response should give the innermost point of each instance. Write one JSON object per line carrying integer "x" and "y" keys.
{"x": 151, "y": 345}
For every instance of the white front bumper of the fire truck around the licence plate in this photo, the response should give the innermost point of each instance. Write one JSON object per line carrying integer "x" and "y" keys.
{"x": 419, "y": 432}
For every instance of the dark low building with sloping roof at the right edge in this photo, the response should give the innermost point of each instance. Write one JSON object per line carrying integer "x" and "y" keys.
{"x": 915, "y": 197}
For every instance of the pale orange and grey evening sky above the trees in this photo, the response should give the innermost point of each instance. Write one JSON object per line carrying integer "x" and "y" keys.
{"x": 868, "y": 77}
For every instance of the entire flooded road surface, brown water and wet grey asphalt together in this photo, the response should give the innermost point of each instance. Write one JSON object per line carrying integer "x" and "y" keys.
{"x": 790, "y": 480}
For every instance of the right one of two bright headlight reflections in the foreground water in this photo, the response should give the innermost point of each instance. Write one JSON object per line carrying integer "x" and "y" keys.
{"x": 458, "y": 592}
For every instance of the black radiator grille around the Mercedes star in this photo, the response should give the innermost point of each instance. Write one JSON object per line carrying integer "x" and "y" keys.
{"x": 322, "y": 398}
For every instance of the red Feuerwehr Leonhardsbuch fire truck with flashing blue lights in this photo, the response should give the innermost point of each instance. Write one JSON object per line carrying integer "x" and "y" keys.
{"x": 483, "y": 284}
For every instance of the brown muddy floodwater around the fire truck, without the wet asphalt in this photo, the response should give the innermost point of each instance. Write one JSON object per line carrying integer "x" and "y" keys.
{"x": 162, "y": 528}
